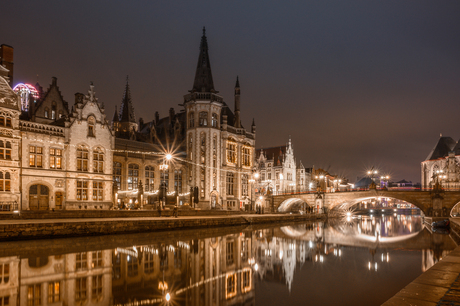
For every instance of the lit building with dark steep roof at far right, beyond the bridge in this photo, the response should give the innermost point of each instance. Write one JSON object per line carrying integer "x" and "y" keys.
{"x": 442, "y": 164}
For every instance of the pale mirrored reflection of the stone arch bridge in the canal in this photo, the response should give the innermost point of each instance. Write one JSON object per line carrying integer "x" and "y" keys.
{"x": 331, "y": 235}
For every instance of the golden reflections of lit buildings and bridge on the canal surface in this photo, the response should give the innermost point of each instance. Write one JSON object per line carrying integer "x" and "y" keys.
{"x": 213, "y": 271}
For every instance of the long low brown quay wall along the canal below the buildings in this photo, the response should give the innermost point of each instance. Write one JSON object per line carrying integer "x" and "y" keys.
{"x": 56, "y": 228}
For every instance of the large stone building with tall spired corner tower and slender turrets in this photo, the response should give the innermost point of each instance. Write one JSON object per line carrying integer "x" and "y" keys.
{"x": 212, "y": 152}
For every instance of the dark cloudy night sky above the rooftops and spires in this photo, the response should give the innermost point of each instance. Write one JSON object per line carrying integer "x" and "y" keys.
{"x": 355, "y": 84}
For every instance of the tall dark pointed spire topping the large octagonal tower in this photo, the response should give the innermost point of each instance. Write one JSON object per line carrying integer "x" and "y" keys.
{"x": 203, "y": 76}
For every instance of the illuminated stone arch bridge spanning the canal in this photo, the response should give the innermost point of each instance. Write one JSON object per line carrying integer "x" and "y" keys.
{"x": 432, "y": 203}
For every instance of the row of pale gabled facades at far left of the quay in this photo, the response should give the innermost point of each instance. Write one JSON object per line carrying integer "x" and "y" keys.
{"x": 51, "y": 158}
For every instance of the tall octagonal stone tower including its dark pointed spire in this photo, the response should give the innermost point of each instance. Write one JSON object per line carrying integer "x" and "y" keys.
{"x": 203, "y": 108}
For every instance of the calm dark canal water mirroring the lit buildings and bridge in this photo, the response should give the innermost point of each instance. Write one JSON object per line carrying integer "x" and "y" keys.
{"x": 362, "y": 260}
